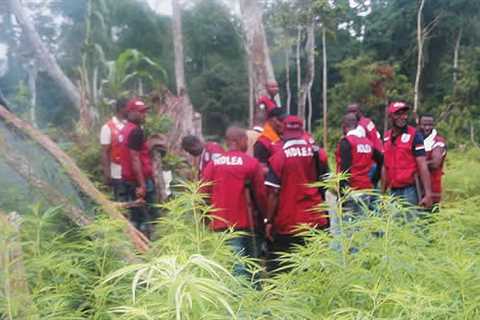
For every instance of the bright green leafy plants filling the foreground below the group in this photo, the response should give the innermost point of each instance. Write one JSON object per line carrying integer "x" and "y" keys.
{"x": 424, "y": 269}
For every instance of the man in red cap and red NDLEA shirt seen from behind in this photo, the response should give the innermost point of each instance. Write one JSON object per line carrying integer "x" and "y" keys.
{"x": 292, "y": 200}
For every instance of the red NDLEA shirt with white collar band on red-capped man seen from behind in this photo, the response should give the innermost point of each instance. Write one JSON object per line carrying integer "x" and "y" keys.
{"x": 291, "y": 170}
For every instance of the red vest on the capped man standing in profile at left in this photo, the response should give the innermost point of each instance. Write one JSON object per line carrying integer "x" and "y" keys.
{"x": 126, "y": 161}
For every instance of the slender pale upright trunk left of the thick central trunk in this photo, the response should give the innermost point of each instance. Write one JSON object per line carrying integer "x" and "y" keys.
{"x": 187, "y": 114}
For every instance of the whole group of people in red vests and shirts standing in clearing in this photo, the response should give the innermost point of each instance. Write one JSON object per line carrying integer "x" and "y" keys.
{"x": 262, "y": 183}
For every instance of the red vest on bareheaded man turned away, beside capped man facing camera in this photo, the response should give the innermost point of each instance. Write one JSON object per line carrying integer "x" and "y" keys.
{"x": 362, "y": 162}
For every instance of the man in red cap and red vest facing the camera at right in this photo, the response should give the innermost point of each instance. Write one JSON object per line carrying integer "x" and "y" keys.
{"x": 405, "y": 162}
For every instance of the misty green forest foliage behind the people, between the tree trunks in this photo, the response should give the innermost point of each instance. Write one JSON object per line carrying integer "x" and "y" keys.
{"x": 371, "y": 47}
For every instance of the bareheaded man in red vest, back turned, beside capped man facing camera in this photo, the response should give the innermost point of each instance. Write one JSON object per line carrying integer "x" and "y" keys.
{"x": 356, "y": 156}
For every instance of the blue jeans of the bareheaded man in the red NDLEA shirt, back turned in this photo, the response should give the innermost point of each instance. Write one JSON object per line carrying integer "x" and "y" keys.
{"x": 245, "y": 246}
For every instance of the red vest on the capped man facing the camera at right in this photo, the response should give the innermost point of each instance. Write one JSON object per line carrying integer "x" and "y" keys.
{"x": 399, "y": 160}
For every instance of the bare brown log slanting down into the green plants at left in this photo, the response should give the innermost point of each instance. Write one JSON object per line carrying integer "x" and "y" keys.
{"x": 77, "y": 176}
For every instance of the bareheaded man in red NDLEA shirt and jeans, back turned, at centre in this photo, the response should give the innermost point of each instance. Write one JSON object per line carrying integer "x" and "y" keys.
{"x": 231, "y": 175}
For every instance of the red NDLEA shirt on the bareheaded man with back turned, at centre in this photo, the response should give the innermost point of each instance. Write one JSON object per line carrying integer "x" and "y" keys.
{"x": 230, "y": 174}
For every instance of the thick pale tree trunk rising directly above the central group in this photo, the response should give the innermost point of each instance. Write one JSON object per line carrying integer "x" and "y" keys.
{"x": 261, "y": 70}
